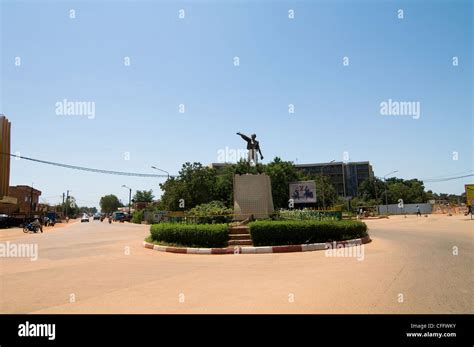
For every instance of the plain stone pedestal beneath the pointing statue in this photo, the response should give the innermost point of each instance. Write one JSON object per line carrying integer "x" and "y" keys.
{"x": 252, "y": 196}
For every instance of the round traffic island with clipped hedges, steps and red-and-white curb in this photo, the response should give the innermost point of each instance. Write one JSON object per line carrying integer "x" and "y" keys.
{"x": 258, "y": 237}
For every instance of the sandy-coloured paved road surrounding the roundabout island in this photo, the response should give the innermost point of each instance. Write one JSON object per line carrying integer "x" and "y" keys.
{"x": 102, "y": 268}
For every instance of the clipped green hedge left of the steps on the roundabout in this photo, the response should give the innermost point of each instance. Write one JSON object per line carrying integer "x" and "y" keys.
{"x": 191, "y": 235}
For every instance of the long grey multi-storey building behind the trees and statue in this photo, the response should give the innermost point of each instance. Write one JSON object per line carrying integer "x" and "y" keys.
{"x": 345, "y": 177}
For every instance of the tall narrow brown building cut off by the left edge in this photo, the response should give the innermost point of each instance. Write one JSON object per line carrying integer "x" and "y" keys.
{"x": 7, "y": 203}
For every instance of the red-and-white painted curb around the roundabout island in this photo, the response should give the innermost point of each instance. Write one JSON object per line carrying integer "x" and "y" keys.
{"x": 259, "y": 250}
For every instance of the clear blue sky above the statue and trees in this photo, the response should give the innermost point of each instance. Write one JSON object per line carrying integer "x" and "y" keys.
{"x": 190, "y": 61}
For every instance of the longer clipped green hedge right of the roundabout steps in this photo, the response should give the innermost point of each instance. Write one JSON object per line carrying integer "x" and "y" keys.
{"x": 274, "y": 233}
